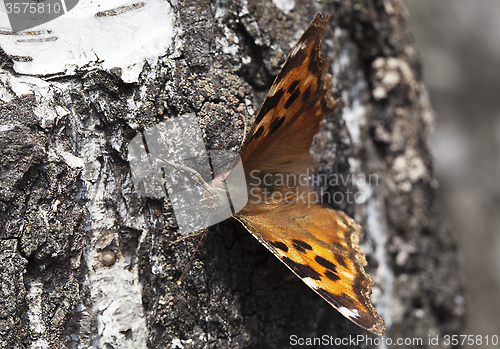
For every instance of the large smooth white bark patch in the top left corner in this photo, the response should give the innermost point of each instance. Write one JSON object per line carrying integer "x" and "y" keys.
{"x": 108, "y": 34}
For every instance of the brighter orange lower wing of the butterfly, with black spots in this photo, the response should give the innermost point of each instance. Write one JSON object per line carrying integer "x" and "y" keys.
{"x": 320, "y": 246}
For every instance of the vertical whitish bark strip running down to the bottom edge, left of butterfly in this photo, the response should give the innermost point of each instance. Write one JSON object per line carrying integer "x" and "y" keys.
{"x": 115, "y": 289}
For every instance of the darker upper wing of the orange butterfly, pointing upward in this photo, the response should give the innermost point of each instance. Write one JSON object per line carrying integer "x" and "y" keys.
{"x": 297, "y": 102}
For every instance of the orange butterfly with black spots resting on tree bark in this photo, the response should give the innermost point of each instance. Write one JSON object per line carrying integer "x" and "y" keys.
{"x": 319, "y": 244}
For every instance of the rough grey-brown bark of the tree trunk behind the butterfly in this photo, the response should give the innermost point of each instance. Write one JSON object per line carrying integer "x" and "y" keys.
{"x": 69, "y": 210}
